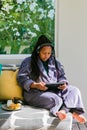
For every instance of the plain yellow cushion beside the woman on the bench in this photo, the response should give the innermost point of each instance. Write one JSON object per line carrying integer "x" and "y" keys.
{"x": 9, "y": 87}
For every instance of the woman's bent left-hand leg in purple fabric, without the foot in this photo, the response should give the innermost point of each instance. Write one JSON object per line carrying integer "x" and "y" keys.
{"x": 47, "y": 100}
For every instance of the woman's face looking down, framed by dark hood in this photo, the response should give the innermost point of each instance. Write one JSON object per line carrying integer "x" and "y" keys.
{"x": 45, "y": 53}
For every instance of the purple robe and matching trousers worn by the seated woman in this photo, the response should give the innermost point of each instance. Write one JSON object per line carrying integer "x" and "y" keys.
{"x": 50, "y": 100}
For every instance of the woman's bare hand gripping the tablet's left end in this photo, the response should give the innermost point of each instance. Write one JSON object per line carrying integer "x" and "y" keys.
{"x": 40, "y": 86}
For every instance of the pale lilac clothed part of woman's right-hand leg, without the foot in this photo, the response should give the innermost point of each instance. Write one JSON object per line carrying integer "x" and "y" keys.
{"x": 73, "y": 99}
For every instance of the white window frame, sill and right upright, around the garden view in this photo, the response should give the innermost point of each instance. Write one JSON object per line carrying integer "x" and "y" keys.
{"x": 17, "y": 58}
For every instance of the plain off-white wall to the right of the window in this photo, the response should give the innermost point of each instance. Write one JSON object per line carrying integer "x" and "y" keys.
{"x": 72, "y": 42}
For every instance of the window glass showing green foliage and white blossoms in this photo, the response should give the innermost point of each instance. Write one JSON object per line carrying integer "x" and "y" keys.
{"x": 22, "y": 22}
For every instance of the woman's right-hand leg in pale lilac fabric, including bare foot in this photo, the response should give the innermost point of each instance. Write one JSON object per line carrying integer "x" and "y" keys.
{"x": 73, "y": 100}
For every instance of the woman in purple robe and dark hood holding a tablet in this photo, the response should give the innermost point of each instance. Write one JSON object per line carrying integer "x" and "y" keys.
{"x": 41, "y": 68}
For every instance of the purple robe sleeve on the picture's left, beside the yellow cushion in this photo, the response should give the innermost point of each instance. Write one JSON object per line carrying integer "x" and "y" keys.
{"x": 23, "y": 76}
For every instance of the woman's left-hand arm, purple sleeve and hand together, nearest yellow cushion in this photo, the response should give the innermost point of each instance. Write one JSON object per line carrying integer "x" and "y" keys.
{"x": 24, "y": 80}
